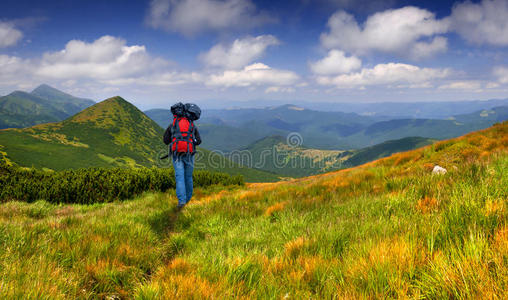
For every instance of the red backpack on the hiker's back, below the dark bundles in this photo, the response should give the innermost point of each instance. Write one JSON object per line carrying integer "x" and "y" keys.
{"x": 182, "y": 133}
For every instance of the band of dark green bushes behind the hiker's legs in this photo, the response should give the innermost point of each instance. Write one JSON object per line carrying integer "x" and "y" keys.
{"x": 94, "y": 185}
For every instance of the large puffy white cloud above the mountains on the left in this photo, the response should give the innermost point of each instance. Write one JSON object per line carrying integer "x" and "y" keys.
{"x": 106, "y": 58}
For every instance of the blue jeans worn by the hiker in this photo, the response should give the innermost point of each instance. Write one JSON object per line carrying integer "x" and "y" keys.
{"x": 184, "y": 165}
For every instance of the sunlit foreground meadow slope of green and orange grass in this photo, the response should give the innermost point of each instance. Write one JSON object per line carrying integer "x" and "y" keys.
{"x": 386, "y": 229}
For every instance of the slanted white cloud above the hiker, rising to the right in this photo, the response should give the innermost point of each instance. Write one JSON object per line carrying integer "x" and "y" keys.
{"x": 239, "y": 53}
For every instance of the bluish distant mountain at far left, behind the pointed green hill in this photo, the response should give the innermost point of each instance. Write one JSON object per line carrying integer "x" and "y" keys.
{"x": 43, "y": 105}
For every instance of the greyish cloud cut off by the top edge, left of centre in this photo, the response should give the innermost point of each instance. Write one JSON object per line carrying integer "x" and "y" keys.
{"x": 191, "y": 17}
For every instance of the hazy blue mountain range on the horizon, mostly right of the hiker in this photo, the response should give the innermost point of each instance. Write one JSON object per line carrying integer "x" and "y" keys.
{"x": 232, "y": 129}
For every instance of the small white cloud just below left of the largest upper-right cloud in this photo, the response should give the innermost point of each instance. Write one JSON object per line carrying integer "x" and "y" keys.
{"x": 335, "y": 62}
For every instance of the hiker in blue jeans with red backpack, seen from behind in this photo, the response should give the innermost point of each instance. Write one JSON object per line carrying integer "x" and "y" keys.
{"x": 182, "y": 136}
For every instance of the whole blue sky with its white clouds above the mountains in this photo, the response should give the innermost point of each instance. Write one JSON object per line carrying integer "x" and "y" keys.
{"x": 219, "y": 52}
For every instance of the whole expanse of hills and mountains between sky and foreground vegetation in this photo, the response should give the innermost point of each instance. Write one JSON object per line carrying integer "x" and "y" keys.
{"x": 254, "y": 142}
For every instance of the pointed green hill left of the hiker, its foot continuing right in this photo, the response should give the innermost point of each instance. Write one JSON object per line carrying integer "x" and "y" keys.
{"x": 112, "y": 133}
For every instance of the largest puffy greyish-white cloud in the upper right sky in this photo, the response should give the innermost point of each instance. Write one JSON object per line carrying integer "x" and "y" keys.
{"x": 393, "y": 31}
